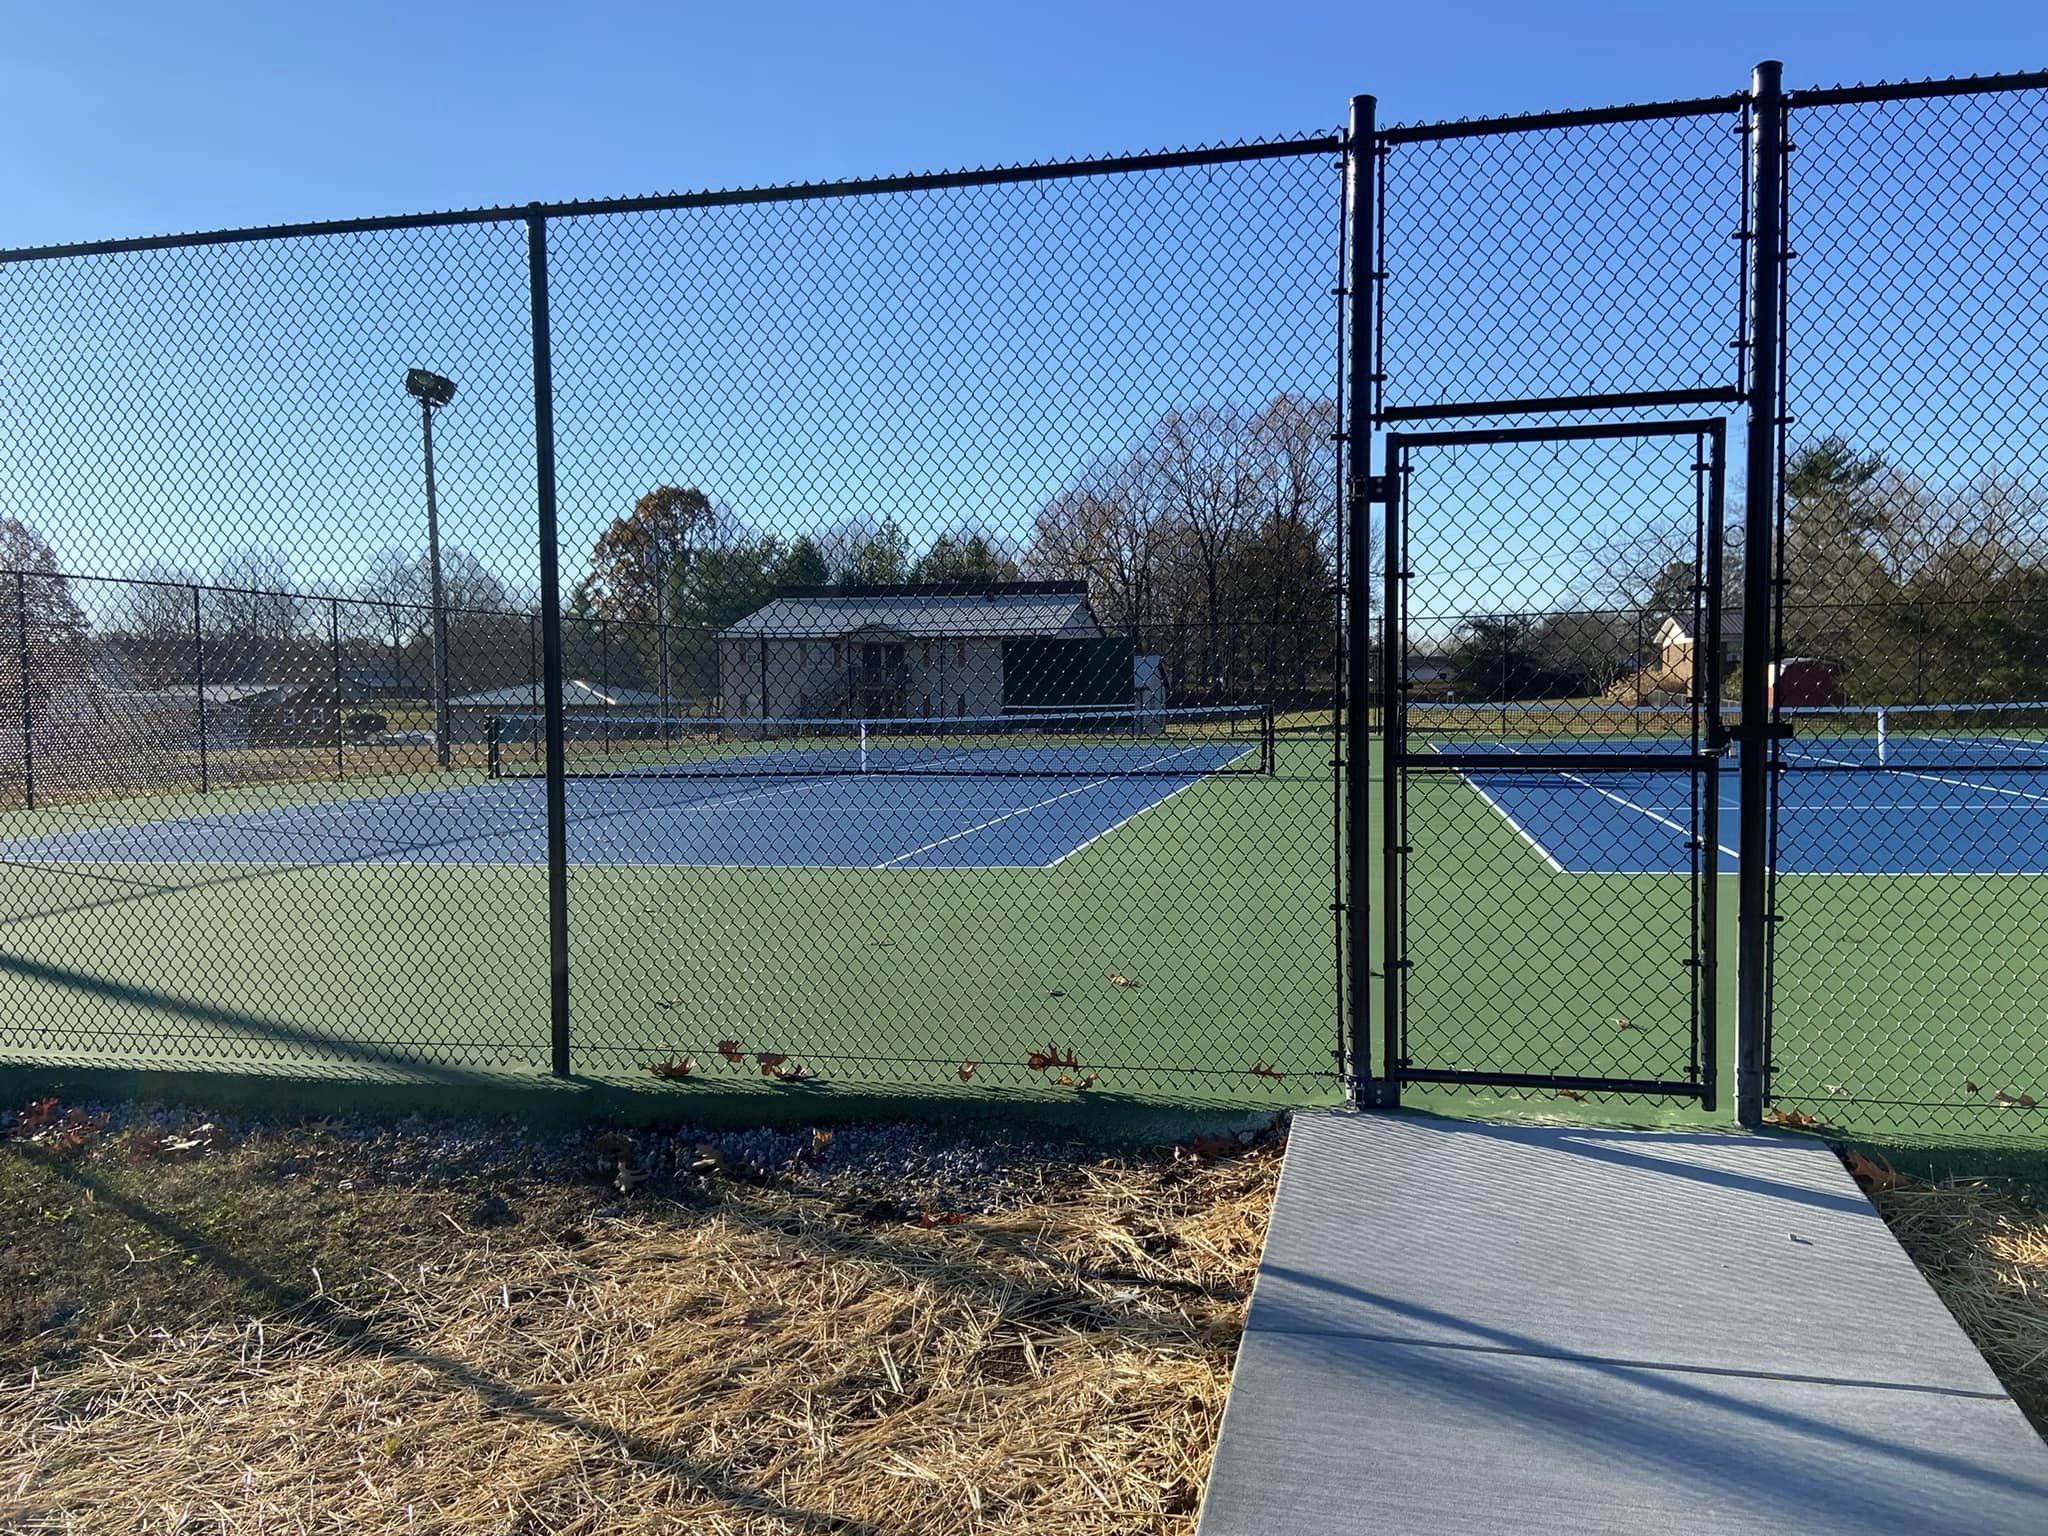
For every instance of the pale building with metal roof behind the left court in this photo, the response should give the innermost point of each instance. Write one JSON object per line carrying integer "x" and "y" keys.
{"x": 888, "y": 652}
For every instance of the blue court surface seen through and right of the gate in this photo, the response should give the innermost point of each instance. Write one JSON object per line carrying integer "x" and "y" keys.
{"x": 1840, "y": 812}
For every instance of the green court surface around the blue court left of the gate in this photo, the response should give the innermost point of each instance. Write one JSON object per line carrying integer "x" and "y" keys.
{"x": 1170, "y": 957}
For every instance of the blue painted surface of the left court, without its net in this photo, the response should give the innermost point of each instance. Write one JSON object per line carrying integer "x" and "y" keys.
{"x": 898, "y": 822}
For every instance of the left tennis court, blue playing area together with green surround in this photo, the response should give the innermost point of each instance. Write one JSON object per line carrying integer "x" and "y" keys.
{"x": 865, "y": 925}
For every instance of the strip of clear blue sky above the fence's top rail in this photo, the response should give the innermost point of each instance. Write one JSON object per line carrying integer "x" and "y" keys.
{"x": 146, "y": 118}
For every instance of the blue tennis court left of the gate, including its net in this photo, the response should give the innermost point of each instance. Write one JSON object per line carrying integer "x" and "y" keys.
{"x": 742, "y": 796}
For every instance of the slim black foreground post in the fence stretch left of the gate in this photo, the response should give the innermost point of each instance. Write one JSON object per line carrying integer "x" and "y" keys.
{"x": 558, "y": 798}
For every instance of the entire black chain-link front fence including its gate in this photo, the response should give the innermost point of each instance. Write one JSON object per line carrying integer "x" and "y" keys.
{"x": 951, "y": 632}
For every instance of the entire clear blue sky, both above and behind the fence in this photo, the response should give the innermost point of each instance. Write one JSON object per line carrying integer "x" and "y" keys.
{"x": 976, "y": 355}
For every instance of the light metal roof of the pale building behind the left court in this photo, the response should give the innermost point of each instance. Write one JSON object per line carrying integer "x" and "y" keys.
{"x": 925, "y": 611}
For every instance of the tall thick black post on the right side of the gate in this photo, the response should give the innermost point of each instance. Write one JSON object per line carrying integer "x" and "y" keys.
{"x": 1760, "y": 519}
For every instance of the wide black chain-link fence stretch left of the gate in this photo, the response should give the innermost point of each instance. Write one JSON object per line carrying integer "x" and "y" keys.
{"x": 849, "y": 634}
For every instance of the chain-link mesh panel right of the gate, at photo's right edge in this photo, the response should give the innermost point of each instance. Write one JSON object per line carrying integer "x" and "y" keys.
{"x": 1912, "y": 970}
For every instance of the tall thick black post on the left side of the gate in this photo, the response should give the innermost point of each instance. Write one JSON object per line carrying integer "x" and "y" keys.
{"x": 1365, "y": 1086}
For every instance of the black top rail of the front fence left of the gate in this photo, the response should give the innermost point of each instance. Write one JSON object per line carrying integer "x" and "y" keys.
{"x": 1046, "y": 171}
